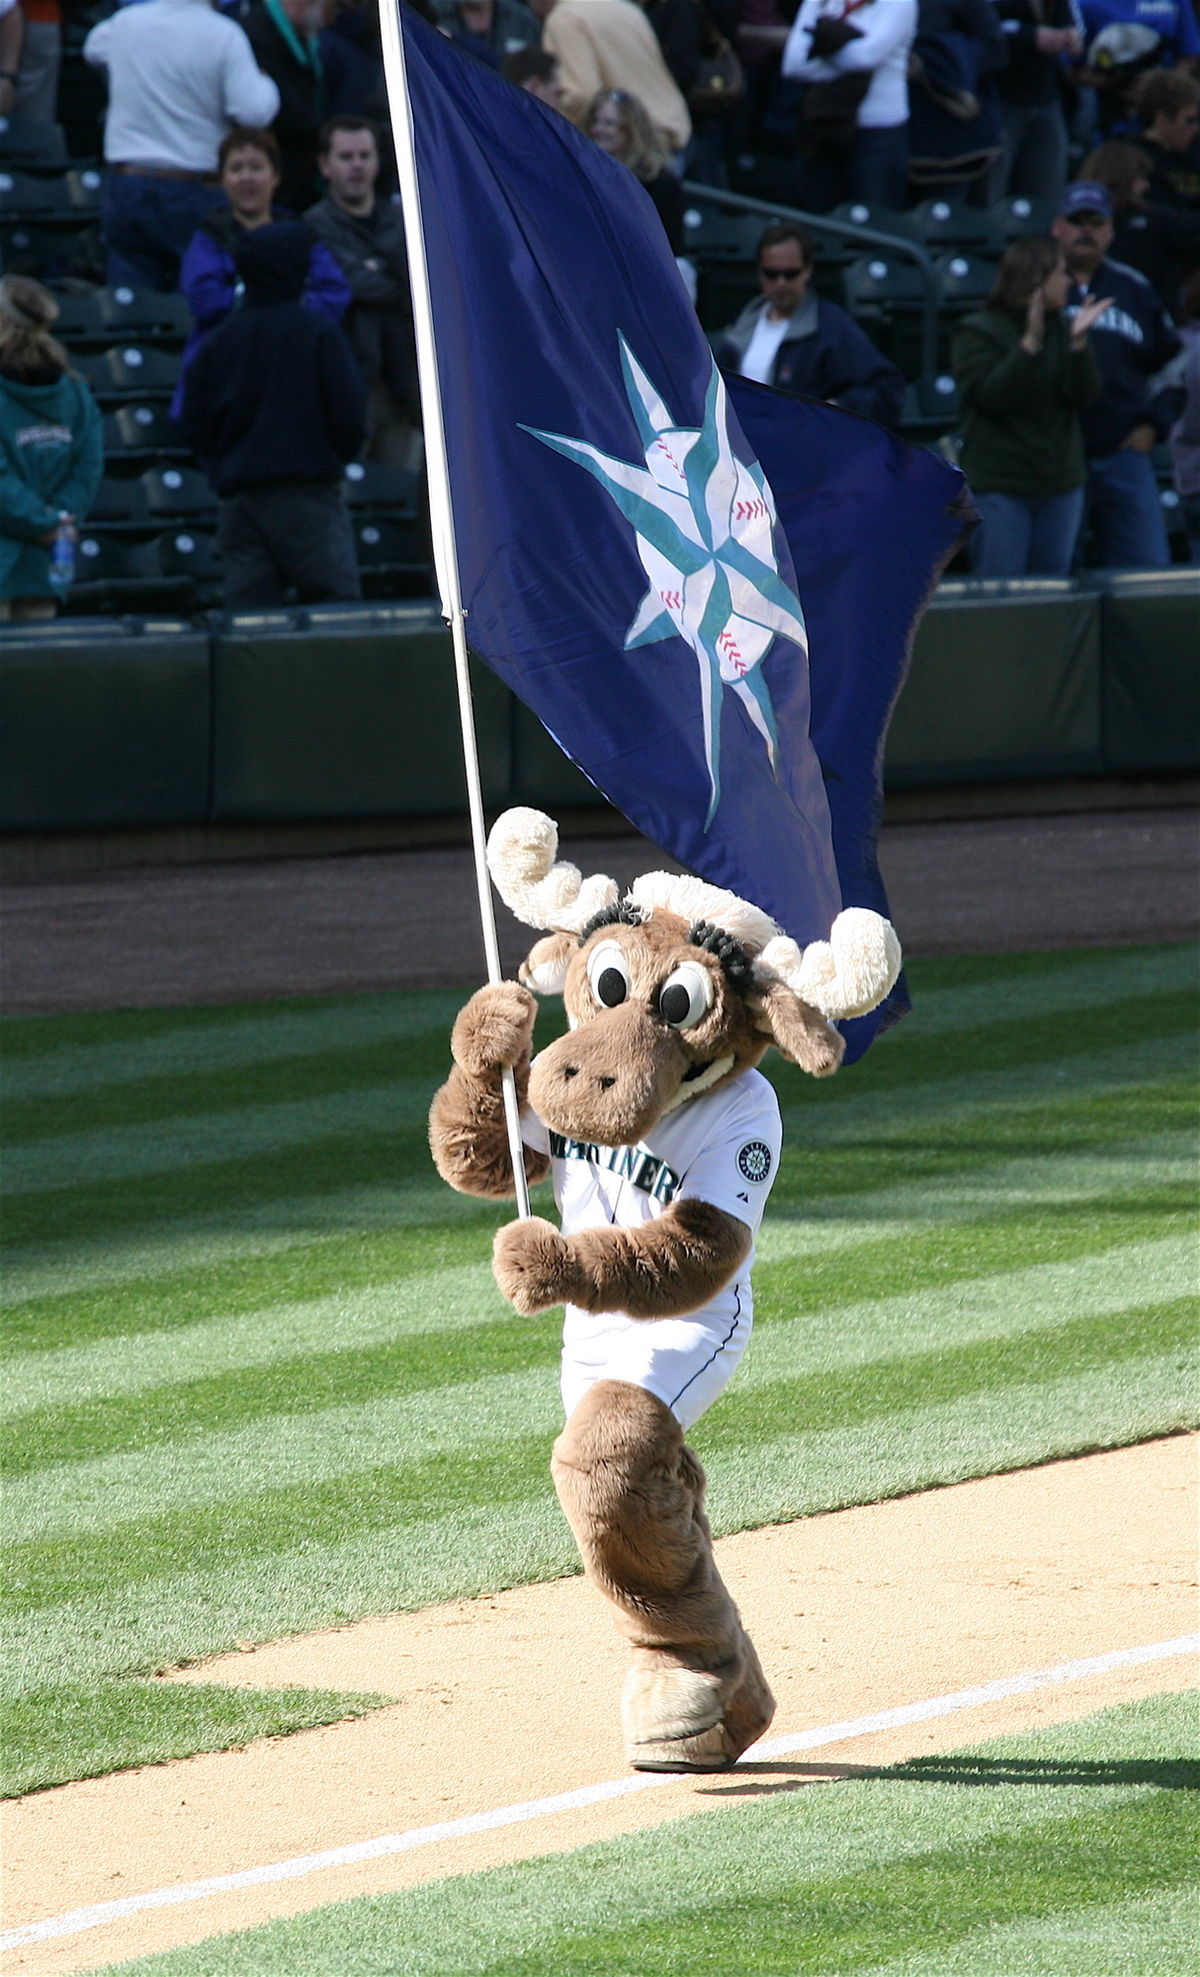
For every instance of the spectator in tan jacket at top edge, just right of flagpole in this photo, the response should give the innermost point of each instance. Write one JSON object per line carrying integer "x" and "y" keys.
{"x": 610, "y": 44}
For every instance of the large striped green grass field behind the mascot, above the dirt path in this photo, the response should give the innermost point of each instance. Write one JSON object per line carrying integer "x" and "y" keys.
{"x": 260, "y": 1381}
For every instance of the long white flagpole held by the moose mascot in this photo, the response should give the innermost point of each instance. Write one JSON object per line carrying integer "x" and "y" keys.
{"x": 442, "y": 517}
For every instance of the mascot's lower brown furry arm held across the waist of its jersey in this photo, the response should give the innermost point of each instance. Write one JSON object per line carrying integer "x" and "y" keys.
{"x": 659, "y": 1270}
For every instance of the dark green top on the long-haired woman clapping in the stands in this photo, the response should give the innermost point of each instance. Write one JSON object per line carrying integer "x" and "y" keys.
{"x": 1021, "y": 414}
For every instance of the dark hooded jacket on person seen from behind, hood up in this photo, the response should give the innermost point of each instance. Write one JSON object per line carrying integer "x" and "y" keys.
{"x": 274, "y": 394}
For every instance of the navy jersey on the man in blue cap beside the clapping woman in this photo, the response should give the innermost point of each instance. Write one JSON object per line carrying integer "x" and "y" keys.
{"x": 1134, "y": 343}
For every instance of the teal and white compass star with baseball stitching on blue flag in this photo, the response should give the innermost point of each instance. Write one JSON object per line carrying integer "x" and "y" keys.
{"x": 705, "y": 527}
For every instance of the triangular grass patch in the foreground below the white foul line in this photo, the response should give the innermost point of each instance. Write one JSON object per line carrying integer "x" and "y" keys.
{"x": 1072, "y": 1853}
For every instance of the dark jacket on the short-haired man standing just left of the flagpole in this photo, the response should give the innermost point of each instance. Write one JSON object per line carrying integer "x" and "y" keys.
{"x": 373, "y": 260}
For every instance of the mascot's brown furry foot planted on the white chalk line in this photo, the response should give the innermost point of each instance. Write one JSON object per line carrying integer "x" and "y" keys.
{"x": 689, "y": 1721}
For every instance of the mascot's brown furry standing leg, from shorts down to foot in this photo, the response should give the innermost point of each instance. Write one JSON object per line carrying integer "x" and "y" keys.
{"x": 634, "y": 1496}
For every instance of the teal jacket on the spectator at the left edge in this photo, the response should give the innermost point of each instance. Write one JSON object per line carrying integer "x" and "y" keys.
{"x": 50, "y": 460}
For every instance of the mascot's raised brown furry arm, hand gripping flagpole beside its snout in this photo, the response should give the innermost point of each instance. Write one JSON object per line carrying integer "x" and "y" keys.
{"x": 468, "y": 1128}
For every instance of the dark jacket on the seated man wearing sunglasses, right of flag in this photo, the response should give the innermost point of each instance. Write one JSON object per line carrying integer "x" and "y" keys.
{"x": 825, "y": 355}
